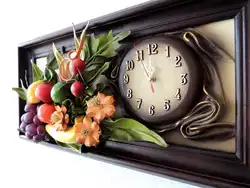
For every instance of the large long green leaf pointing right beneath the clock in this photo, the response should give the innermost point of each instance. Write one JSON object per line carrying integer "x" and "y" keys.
{"x": 125, "y": 129}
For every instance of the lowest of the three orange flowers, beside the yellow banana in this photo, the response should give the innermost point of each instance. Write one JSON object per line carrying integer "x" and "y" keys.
{"x": 87, "y": 131}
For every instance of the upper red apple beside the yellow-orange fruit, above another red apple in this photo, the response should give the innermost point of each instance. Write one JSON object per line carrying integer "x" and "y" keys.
{"x": 42, "y": 92}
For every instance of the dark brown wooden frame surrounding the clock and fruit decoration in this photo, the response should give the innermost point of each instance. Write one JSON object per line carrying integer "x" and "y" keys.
{"x": 204, "y": 166}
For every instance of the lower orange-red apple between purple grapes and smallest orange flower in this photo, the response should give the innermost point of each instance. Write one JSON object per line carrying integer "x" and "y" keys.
{"x": 44, "y": 112}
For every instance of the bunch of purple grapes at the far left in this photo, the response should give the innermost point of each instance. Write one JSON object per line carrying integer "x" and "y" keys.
{"x": 31, "y": 126}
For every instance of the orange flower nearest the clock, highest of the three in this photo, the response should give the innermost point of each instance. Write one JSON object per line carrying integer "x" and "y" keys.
{"x": 101, "y": 106}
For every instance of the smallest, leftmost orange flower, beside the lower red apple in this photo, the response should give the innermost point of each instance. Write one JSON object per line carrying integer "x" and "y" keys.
{"x": 59, "y": 118}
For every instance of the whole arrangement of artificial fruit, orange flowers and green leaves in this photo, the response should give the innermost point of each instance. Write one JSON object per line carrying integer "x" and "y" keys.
{"x": 67, "y": 101}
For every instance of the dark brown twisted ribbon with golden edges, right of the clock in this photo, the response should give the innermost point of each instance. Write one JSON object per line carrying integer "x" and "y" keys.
{"x": 201, "y": 122}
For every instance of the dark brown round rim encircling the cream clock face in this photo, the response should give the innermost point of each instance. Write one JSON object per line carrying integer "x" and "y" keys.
{"x": 195, "y": 76}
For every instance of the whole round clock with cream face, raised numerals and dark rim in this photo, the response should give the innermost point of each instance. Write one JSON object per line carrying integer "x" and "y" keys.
{"x": 159, "y": 80}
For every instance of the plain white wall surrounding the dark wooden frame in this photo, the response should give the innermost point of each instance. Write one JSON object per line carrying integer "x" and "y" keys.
{"x": 25, "y": 164}
